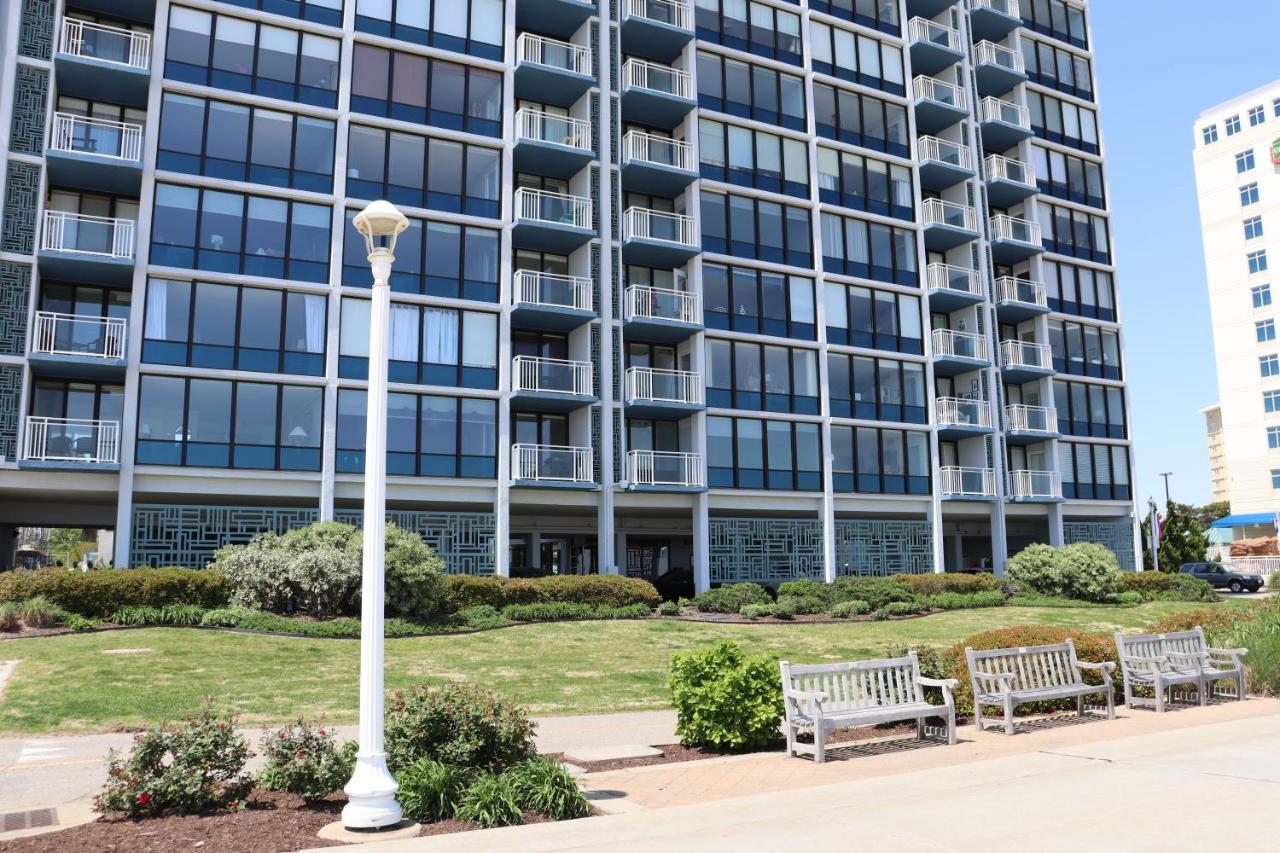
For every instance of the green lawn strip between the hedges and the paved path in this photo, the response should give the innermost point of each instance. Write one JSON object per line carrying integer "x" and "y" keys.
{"x": 70, "y": 685}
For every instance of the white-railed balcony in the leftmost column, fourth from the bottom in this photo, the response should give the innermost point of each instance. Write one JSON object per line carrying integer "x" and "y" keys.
{"x": 95, "y": 154}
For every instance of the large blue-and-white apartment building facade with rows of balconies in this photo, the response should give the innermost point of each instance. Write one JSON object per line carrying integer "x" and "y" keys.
{"x": 755, "y": 290}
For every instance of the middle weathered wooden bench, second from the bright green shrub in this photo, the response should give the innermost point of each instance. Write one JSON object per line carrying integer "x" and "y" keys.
{"x": 1011, "y": 677}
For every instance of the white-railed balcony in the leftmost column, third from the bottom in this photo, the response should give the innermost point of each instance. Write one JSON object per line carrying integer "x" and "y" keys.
{"x": 86, "y": 249}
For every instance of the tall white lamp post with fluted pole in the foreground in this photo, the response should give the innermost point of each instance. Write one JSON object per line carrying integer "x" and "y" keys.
{"x": 372, "y": 791}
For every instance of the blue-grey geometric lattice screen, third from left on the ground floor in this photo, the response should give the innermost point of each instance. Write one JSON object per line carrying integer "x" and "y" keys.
{"x": 765, "y": 550}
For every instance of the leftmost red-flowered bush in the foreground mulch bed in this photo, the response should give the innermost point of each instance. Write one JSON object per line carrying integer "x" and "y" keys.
{"x": 195, "y": 768}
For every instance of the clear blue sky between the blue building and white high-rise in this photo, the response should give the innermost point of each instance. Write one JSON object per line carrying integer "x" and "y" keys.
{"x": 1160, "y": 63}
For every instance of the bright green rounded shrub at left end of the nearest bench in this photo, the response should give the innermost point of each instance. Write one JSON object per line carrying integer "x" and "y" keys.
{"x": 724, "y": 699}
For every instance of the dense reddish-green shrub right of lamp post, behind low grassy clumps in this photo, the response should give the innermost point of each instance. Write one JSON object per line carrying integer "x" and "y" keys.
{"x": 461, "y": 726}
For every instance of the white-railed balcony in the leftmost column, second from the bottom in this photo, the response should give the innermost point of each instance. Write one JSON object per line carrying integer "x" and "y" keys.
{"x": 79, "y": 346}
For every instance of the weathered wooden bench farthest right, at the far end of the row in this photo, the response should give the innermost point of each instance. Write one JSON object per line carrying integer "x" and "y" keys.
{"x": 1164, "y": 662}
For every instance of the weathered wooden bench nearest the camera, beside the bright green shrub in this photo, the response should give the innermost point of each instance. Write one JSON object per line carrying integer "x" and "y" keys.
{"x": 824, "y": 697}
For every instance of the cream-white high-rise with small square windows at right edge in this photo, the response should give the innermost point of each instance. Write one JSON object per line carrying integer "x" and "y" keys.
{"x": 1238, "y": 180}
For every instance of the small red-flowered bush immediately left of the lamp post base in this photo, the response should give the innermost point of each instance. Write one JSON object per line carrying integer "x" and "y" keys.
{"x": 305, "y": 760}
